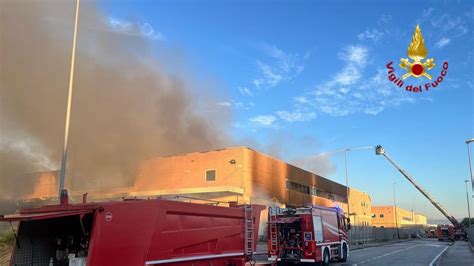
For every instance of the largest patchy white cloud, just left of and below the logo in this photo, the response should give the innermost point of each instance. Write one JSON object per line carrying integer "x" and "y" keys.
{"x": 351, "y": 91}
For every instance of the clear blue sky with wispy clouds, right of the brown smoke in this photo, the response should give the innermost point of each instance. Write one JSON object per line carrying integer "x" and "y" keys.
{"x": 307, "y": 77}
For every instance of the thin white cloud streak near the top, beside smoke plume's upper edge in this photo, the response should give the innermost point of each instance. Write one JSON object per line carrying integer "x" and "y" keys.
{"x": 134, "y": 29}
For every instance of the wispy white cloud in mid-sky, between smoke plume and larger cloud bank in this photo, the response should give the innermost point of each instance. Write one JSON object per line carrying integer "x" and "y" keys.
{"x": 279, "y": 66}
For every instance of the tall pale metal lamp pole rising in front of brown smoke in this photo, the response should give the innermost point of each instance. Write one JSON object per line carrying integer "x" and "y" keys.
{"x": 69, "y": 101}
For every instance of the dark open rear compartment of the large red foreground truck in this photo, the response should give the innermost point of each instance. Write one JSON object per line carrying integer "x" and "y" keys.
{"x": 41, "y": 242}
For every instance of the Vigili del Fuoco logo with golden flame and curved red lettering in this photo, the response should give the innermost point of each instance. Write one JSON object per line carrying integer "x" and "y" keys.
{"x": 417, "y": 67}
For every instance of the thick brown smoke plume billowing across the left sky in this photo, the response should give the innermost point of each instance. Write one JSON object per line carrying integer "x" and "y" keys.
{"x": 126, "y": 107}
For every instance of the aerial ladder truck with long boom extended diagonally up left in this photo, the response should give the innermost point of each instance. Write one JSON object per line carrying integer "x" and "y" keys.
{"x": 458, "y": 231}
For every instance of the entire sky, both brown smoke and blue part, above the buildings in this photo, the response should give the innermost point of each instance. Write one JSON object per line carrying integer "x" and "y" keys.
{"x": 292, "y": 79}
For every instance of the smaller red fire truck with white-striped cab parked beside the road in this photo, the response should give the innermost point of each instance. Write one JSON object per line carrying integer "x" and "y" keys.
{"x": 316, "y": 234}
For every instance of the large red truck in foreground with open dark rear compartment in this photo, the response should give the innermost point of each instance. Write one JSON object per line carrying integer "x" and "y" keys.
{"x": 135, "y": 232}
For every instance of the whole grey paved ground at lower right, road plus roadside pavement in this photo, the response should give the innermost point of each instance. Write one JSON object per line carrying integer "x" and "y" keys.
{"x": 414, "y": 252}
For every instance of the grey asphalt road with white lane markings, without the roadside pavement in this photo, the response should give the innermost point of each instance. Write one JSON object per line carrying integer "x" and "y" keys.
{"x": 415, "y": 252}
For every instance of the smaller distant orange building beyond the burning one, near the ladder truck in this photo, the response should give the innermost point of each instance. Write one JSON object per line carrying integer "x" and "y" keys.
{"x": 393, "y": 217}
